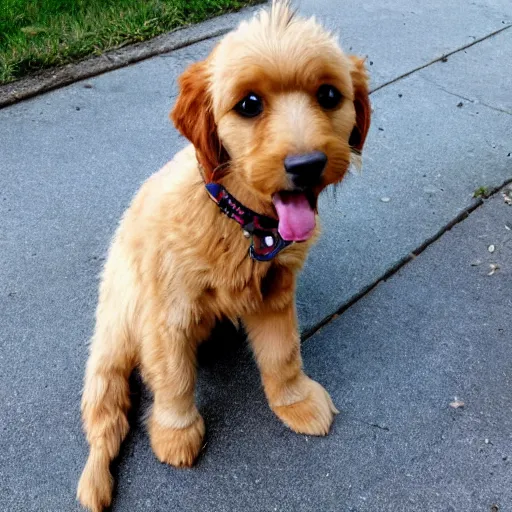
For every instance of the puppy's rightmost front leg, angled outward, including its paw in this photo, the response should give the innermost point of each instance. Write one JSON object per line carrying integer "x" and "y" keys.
{"x": 300, "y": 402}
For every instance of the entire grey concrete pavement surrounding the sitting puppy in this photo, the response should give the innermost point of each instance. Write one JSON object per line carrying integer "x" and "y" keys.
{"x": 409, "y": 342}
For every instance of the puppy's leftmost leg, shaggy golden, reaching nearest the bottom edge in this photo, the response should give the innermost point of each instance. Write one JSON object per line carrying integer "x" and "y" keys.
{"x": 105, "y": 401}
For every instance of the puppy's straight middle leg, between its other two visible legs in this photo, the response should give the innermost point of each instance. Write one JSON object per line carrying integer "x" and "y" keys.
{"x": 176, "y": 428}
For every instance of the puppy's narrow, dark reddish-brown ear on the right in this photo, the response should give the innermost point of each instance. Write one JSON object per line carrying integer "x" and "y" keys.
{"x": 361, "y": 104}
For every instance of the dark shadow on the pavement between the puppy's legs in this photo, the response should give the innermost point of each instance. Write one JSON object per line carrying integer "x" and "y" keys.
{"x": 225, "y": 369}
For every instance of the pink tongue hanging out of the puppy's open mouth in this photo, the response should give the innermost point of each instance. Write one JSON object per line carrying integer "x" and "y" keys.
{"x": 296, "y": 217}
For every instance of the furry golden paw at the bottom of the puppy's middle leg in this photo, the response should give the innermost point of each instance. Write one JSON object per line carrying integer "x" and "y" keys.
{"x": 177, "y": 446}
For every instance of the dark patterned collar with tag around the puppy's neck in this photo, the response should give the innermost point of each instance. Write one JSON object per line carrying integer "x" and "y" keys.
{"x": 266, "y": 243}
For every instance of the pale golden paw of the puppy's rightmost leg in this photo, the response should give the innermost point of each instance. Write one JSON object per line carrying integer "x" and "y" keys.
{"x": 313, "y": 414}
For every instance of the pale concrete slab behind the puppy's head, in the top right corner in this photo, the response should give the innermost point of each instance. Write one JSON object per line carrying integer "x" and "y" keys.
{"x": 400, "y": 35}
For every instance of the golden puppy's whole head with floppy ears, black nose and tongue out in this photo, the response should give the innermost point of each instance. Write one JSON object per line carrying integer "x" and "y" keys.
{"x": 281, "y": 106}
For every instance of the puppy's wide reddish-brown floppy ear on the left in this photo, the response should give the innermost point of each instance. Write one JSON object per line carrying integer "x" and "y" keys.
{"x": 193, "y": 117}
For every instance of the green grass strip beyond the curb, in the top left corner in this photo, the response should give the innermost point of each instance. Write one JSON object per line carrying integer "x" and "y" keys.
{"x": 40, "y": 34}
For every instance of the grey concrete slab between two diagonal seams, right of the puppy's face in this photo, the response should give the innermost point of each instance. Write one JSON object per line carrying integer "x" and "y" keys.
{"x": 427, "y": 155}
